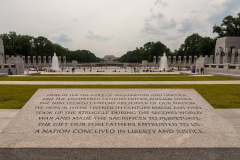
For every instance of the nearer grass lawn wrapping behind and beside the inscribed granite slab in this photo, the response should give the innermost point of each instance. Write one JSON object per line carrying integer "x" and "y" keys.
{"x": 219, "y": 96}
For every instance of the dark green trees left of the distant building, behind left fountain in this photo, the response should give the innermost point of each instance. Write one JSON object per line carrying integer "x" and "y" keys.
{"x": 25, "y": 45}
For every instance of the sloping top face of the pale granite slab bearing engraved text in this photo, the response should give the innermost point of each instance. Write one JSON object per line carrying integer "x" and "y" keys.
{"x": 118, "y": 118}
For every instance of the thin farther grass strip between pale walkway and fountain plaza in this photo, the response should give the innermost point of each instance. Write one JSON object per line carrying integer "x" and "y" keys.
{"x": 117, "y": 78}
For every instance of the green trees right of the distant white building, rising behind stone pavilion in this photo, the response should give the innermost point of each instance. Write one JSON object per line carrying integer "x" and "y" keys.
{"x": 193, "y": 44}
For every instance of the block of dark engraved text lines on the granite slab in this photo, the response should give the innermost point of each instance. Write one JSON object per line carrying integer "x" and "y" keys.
{"x": 115, "y": 113}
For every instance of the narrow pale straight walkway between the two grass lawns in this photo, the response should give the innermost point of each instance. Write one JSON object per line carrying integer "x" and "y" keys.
{"x": 115, "y": 82}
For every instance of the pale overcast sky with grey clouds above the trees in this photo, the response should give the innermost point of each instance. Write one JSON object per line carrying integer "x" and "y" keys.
{"x": 114, "y": 26}
